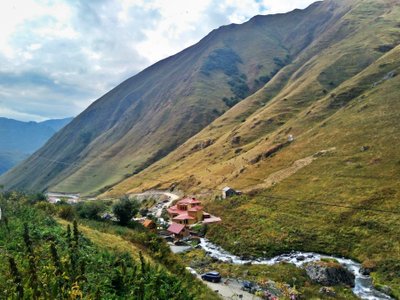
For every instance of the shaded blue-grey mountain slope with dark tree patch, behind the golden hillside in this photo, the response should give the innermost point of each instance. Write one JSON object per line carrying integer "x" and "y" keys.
{"x": 152, "y": 113}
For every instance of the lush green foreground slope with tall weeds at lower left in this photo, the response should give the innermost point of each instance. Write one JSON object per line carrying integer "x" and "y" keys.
{"x": 45, "y": 260}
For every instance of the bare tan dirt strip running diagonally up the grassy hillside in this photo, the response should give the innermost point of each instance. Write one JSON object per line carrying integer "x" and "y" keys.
{"x": 281, "y": 175}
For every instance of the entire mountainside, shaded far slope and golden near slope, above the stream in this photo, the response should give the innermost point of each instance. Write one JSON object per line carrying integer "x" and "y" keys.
{"x": 299, "y": 111}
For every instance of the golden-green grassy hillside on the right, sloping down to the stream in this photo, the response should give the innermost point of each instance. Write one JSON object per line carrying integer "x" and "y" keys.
{"x": 335, "y": 188}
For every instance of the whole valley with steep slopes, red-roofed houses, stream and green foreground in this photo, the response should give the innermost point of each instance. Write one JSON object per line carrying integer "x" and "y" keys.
{"x": 297, "y": 111}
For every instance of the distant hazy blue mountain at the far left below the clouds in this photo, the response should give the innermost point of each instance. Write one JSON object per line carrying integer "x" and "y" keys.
{"x": 20, "y": 139}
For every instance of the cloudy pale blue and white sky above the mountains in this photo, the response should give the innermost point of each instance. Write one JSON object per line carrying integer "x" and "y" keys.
{"x": 58, "y": 56}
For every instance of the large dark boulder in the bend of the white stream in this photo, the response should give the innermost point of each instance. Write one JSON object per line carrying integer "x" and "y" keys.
{"x": 329, "y": 274}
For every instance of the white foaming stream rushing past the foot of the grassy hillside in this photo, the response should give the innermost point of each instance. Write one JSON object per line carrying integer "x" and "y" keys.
{"x": 363, "y": 284}
